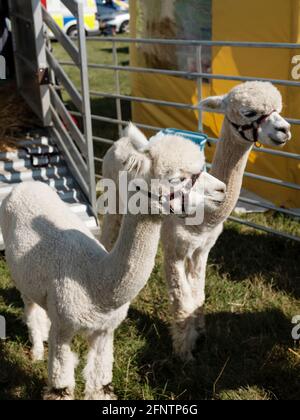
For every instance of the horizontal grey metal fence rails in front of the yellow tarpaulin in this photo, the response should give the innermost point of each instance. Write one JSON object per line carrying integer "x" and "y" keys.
{"x": 198, "y": 76}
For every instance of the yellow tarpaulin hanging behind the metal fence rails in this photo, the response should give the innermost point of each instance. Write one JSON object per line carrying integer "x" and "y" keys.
{"x": 232, "y": 20}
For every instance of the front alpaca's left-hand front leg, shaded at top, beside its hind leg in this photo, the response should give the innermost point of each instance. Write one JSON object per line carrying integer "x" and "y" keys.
{"x": 61, "y": 365}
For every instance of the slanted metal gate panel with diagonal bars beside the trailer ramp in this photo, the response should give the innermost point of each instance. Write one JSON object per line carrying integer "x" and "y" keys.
{"x": 75, "y": 142}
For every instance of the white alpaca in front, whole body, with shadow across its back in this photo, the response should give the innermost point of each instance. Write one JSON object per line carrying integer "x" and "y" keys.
{"x": 65, "y": 275}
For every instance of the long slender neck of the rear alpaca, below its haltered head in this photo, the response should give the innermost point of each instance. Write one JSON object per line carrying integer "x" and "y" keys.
{"x": 228, "y": 166}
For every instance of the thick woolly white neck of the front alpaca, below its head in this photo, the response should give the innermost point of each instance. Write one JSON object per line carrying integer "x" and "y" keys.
{"x": 128, "y": 267}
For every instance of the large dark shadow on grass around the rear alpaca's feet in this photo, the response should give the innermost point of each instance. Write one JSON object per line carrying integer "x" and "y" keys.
{"x": 250, "y": 347}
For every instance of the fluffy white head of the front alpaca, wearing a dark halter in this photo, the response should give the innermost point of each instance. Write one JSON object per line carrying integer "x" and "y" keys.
{"x": 176, "y": 165}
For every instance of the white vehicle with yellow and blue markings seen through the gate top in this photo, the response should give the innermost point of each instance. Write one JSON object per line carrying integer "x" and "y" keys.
{"x": 67, "y": 22}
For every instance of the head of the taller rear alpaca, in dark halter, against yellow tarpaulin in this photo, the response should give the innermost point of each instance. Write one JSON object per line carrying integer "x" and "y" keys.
{"x": 252, "y": 110}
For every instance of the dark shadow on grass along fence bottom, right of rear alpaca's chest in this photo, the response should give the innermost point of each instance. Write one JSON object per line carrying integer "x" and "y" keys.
{"x": 274, "y": 258}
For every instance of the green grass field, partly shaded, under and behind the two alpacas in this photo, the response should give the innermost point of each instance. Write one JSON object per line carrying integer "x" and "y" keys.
{"x": 253, "y": 291}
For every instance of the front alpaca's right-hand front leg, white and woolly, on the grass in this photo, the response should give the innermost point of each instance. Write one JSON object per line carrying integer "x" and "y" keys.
{"x": 99, "y": 367}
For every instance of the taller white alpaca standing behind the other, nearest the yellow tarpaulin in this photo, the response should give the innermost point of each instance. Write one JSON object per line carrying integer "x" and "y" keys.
{"x": 252, "y": 114}
